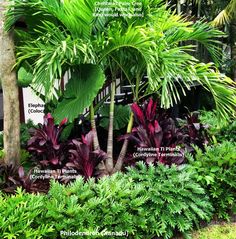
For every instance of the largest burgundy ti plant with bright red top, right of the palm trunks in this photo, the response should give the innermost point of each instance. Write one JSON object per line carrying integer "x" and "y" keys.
{"x": 155, "y": 135}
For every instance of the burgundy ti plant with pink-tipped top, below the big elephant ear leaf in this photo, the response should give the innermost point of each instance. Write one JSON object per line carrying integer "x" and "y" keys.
{"x": 44, "y": 143}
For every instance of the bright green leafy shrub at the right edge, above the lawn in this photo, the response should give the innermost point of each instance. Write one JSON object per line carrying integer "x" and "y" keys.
{"x": 216, "y": 171}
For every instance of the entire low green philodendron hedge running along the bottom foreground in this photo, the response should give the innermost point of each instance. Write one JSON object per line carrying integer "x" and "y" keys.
{"x": 146, "y": 202}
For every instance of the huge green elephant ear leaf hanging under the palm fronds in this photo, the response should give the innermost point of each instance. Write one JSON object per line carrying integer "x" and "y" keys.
{"x": 81, "y": 89}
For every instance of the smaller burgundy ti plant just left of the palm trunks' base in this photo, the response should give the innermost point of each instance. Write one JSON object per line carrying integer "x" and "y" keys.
{"x": 82, "y": 156}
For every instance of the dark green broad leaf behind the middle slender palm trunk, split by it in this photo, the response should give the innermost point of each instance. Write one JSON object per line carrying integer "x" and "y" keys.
{"x": 121, "y": 116}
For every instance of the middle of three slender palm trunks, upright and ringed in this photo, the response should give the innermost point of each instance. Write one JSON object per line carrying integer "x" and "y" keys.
{"x": 109, "y": 161}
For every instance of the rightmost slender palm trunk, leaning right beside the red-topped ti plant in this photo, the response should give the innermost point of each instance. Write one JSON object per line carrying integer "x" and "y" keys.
{"x": 123, "y": 151}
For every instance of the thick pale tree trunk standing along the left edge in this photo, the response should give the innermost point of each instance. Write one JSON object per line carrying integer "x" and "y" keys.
{"x": 10, "y": 94}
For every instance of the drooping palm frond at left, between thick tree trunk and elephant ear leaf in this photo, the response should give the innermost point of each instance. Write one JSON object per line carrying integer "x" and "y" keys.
{"x": 53, "y": 53}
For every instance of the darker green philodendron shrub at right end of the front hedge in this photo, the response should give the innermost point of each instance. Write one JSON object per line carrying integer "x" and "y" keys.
{"x": 175, "y": 201}
